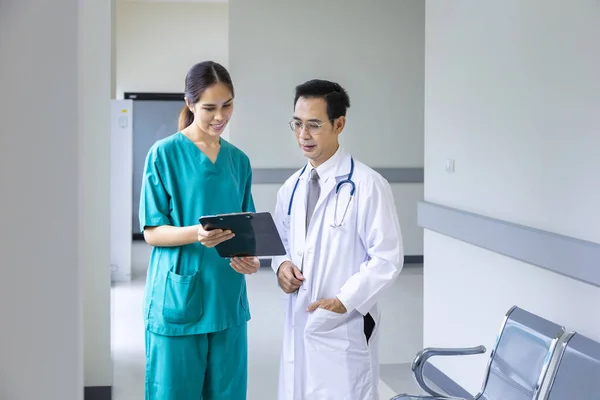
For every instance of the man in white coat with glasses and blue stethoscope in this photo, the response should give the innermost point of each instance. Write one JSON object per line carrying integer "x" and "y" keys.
{"x": 339, "y": 225}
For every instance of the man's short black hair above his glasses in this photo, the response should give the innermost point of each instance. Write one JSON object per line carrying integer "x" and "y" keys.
{"x": 336, "y": 97}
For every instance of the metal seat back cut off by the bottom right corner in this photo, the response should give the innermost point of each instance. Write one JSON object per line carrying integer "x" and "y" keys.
{"x": 577, "y": 373}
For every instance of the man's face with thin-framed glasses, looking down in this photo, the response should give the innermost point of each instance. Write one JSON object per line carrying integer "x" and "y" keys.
{"x": 317, "y": 136}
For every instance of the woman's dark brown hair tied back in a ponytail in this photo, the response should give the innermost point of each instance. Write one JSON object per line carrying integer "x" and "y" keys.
{"x": 199, "y": 78}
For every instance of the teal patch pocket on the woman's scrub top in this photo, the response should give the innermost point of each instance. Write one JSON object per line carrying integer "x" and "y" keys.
{"x": 182, "y": 302}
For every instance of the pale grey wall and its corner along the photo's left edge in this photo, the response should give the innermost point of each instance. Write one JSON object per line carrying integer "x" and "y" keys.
{"x": 52, "y": 256}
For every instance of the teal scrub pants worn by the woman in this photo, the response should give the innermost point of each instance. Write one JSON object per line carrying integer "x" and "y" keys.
{"x": 212, "y": 366}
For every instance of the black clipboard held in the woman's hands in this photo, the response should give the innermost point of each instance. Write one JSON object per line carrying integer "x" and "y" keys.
{"x": 255, "y": 234}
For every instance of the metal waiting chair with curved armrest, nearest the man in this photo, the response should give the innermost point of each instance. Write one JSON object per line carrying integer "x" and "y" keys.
{"x": 518, "y": 363}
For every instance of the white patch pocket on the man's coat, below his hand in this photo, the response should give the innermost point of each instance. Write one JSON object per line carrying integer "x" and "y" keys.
{"x": 327, "y": 331}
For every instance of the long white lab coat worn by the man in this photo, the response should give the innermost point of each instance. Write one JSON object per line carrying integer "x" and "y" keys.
{"x": 325, "y": 355}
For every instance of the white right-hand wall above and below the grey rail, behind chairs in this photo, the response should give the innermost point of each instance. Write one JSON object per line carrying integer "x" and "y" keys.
{"x": 512, "y": 95}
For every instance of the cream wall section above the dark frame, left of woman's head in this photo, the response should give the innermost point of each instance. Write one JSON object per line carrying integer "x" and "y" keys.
{"x": 157, "y": 43}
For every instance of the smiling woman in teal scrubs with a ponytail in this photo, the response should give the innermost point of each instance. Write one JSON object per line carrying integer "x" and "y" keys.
{"x": 195, "y": 304}
